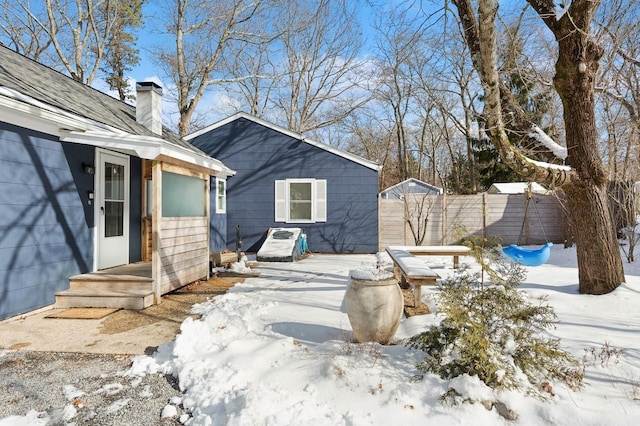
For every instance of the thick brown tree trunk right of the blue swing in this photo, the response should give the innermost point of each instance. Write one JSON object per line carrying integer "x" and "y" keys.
{"x": 599, "y": 262}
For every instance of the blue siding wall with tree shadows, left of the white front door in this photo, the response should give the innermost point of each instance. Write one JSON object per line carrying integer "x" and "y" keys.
{"x": 45, "y": 218}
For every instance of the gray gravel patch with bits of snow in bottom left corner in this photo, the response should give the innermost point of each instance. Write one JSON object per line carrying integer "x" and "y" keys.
{"x": 83, "y": 389}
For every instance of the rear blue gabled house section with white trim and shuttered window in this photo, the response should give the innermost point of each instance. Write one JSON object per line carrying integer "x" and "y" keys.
{"x": 286, "y": 180}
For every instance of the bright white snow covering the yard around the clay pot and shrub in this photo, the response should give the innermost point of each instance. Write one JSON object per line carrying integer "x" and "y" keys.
{"x": 275, "y": 350}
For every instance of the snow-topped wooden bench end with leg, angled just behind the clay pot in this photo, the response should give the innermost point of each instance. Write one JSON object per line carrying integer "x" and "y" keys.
{"x": 411, "y": 270}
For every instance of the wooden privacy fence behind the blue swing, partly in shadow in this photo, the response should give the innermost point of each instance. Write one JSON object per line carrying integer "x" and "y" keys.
{"x": 481, "y": 215}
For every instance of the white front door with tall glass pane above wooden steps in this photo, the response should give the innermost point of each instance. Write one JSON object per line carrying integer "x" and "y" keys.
{"x": 112, "y": 209}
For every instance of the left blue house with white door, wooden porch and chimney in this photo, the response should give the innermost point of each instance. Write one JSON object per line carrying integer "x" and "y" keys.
{"x": 88, "y": 183}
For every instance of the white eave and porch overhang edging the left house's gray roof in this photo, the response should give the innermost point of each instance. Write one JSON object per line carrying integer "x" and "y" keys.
{"x": 21, "y": 110}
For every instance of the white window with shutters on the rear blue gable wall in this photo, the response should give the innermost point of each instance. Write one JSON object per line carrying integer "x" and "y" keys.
{"x": 301, "y": 200}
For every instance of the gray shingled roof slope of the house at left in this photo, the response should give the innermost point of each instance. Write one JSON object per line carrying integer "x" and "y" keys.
{"x": 56, "y": 89}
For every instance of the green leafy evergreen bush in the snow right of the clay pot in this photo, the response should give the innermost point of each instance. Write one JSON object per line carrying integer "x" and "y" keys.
{"x": 493, "y": 331}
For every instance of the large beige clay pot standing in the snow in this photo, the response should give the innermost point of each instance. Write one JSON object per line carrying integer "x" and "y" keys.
{"x": 374, "y": 308}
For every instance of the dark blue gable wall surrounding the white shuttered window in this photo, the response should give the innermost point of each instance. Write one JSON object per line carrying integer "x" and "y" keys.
{"x": 260, "y": 156}
